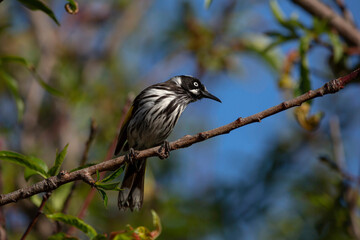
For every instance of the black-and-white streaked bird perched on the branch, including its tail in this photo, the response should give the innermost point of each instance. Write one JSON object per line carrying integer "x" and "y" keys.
{"x": 148, "y": 123}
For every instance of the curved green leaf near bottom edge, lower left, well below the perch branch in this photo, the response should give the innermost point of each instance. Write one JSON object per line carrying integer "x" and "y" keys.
{"x": 75, "y": 222}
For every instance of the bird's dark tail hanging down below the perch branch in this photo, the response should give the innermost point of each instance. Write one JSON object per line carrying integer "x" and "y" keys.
{"x": 131, "y": 194}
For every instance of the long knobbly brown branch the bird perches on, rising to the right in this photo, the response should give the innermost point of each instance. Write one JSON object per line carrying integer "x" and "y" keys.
{"x": 52, "y": 183}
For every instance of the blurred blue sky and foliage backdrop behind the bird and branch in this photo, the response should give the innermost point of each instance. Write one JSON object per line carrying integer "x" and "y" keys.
{"x": 293, "y": 176}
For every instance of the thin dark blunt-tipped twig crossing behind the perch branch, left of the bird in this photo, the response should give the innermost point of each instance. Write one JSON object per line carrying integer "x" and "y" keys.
{"x": 84, "y": 158}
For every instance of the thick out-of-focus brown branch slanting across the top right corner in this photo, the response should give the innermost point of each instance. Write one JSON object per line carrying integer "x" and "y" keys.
{"x": 342, "y": 26}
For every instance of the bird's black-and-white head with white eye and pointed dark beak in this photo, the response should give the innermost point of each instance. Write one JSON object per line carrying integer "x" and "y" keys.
{"x": 194, "y": 88}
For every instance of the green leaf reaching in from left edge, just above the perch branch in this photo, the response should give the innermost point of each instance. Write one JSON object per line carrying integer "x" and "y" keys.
{"x": 32, "y": 163}
